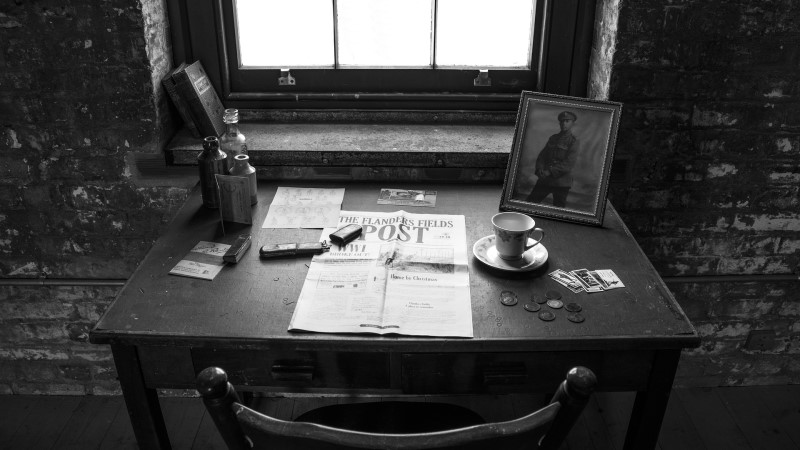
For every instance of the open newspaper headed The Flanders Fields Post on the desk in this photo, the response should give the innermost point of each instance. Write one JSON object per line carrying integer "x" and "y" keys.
{"x": 406, "y": 274}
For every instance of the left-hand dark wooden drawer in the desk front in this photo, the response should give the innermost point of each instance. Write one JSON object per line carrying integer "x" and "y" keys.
{"x": 298, "y": 369}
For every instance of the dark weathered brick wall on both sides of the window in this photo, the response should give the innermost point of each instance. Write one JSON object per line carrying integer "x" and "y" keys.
{"x": 710, "y": 128}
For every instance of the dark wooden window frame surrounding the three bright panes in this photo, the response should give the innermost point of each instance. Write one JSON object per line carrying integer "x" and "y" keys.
{"x": 202, "y": 30}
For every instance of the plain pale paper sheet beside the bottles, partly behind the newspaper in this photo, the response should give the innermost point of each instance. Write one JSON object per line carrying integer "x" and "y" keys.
{"x": 304, "y": 208}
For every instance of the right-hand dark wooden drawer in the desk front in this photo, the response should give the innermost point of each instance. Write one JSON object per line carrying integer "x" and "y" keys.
{"x": 453, "y": 373}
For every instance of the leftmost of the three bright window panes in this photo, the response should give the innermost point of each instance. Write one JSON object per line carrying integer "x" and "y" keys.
{"x": 284, "y": 33}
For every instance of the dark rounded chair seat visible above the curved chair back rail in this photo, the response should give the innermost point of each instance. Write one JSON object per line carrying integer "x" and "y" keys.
{"x": 393, "y": 417}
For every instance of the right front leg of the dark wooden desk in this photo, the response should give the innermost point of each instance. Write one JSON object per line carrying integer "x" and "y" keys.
{"x": 649, "y": 406}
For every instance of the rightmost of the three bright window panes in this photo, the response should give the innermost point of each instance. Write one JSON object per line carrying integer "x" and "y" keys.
{"x": 482, "y": 34}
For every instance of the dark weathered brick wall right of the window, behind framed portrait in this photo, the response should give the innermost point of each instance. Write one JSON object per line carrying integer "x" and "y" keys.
{"x": 711, "y": 125}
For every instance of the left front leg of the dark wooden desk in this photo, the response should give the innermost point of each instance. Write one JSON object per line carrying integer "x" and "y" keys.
{"x": 142, "y": 402}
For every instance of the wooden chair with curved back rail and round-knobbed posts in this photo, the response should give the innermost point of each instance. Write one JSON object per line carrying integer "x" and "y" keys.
{"x": 243, "y": 428}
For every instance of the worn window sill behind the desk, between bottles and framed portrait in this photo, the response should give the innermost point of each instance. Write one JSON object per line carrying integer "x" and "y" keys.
{"x": 474, "y": 152}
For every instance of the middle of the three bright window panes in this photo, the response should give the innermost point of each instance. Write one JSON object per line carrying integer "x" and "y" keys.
{"x": 380, "y": 33}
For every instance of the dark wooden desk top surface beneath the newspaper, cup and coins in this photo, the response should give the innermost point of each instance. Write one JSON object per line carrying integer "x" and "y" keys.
{"x": 249, "y": 304}
